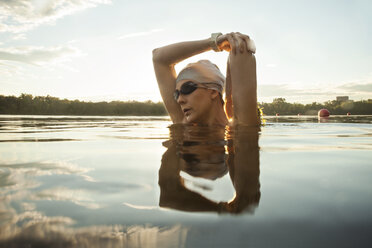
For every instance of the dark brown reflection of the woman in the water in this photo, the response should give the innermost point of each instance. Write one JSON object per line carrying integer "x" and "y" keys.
{"x": 210, "y": 153}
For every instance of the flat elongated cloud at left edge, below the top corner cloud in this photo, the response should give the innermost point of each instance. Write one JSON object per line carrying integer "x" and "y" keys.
{"x": 38, "y": 55}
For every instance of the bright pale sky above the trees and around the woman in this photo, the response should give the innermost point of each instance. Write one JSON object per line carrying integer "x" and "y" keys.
{"x": 101, "y": 50}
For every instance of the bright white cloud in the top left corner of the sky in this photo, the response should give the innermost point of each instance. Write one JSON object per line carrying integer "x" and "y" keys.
{"x": 23, "y": 15}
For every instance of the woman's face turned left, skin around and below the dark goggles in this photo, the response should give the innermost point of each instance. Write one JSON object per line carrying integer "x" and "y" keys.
{"x": 196, "y": 106}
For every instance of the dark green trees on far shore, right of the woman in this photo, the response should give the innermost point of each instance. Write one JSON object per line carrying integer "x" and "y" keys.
{"x": 280, "y": 106}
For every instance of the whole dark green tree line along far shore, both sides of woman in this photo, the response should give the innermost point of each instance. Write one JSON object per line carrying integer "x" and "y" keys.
{"x": 27, "y": 104}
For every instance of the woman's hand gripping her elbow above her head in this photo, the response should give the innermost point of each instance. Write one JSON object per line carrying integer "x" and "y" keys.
{"x": 236, "y": 42}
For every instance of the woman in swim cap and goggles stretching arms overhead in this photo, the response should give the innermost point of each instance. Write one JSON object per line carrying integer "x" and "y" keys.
{"x": 195, "y": 95}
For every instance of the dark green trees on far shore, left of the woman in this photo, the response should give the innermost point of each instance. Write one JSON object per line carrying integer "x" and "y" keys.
{"x": 46, "y": 105}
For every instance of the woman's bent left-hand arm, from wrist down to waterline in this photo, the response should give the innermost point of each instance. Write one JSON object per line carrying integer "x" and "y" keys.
{"x": 164, "y": 59}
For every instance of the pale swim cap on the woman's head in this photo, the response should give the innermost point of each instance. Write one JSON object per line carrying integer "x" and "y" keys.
{"x": 203, "y": 72}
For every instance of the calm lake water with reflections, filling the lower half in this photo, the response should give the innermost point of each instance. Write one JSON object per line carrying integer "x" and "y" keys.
{"x": 128, "y": 182}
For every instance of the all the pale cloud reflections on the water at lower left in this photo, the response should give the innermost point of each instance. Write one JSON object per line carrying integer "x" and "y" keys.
{"x": 22, "y": 225}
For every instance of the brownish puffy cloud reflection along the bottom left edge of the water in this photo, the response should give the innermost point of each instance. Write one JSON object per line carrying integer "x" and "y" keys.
{"x": 34, "y": 229}
